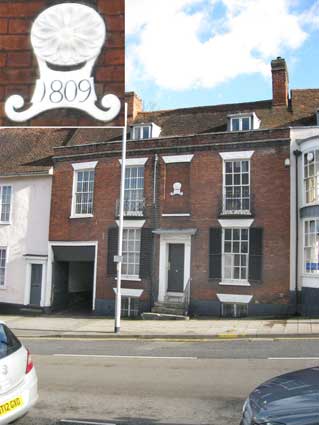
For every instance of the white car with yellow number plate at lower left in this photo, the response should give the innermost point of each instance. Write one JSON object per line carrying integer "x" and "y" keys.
{"x": 18, "y": 378}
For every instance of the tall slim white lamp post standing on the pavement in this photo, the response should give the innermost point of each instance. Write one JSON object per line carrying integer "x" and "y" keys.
{"x": 119, "y": 258}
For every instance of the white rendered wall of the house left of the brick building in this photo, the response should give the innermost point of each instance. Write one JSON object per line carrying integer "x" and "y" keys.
{"x": 27, "y": 234}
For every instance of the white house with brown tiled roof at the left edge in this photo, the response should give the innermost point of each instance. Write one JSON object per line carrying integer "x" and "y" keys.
{"x": 26, "y": 173}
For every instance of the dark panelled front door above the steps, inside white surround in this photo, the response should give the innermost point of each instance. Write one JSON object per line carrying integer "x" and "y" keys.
{"x": 175, "y": 279}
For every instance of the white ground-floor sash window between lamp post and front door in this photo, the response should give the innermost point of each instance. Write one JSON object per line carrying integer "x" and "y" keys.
{"x": 131, "y": 252}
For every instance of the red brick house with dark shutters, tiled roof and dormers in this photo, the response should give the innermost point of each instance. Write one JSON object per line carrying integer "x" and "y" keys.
{"x": 207, "y": 207}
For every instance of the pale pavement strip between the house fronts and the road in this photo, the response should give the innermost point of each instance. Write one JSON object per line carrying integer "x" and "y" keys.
{"x": 57, "y": 325}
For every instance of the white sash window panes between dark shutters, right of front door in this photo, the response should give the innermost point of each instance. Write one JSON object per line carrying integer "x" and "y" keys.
{"x": 235, "y": 254}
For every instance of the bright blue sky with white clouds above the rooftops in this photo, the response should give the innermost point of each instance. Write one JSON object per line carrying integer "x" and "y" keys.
{"x": 184, "y": 53}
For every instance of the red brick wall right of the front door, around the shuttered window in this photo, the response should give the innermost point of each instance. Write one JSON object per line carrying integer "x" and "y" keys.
{"x": 271, "y": 188}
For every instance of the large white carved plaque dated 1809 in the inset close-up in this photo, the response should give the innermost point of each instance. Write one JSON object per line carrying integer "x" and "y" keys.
{"x": 71, "y": 36}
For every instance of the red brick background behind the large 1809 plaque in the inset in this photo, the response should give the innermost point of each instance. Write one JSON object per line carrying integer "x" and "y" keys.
{"x": 19, "y": 70}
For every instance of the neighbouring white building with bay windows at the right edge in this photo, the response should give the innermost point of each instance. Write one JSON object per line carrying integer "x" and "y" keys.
{"x": 304, "y": 258}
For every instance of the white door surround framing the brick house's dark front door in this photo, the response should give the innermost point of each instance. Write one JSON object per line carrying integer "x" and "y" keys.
{"x": 165, "y": 240}
